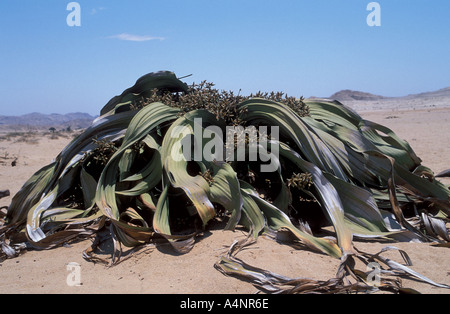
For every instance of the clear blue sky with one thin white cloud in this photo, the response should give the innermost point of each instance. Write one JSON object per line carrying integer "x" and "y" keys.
{"x": 302, "y": 47}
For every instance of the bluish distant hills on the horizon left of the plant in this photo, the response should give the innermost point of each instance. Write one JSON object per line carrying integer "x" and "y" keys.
{"x": 76, "y": 120}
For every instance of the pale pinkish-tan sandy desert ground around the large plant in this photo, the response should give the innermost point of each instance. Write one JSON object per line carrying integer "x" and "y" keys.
{"x": 160, "y": 270}
